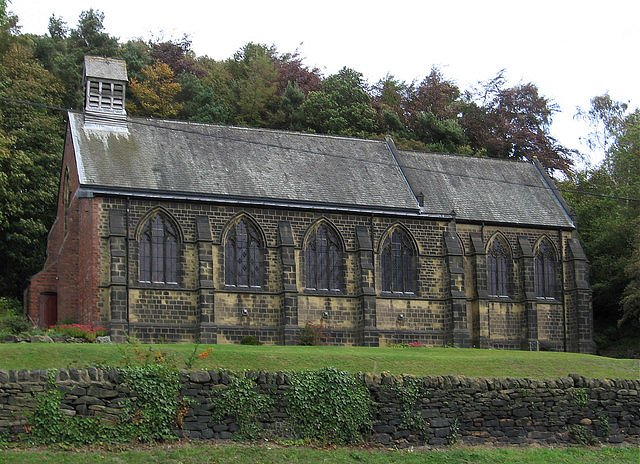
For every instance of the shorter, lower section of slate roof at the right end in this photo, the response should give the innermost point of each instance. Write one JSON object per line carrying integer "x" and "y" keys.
{"x": 483, "y": 189}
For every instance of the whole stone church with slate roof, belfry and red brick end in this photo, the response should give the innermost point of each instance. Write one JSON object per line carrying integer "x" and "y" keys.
{"x": 175, "y": 231}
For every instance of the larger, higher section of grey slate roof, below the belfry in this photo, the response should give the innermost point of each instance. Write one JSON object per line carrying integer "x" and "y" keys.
{"x": 221, "y": 162}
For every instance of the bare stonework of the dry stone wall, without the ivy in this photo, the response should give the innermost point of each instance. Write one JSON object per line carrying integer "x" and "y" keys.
{"x": 448, "y": 409}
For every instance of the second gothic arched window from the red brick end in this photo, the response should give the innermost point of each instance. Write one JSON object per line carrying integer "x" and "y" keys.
{"x": 243, "y": 256}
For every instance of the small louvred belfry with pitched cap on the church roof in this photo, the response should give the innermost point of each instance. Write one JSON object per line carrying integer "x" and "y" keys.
{"x": 105, "y": 85}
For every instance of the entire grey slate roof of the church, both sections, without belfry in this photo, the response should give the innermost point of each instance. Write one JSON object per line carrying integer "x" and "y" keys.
{"x": 174, "y": 159}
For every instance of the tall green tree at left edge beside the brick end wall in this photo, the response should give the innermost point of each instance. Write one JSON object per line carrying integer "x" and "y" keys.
{"x": 30, "y": 146}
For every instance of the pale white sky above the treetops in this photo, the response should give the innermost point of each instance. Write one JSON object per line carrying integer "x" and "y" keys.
{"x": 572, "y": 50}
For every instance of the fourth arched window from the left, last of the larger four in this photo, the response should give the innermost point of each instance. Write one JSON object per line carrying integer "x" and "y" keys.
{"x": 398, "y": 263}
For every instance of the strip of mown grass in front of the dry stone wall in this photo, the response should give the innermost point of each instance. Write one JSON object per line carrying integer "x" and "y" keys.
{"x": 236, "y": 454}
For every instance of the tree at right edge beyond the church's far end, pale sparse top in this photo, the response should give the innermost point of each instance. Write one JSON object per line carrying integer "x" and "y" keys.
{"x": 606, "y": 199}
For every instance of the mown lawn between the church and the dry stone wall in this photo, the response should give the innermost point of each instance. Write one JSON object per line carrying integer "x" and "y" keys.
{"x": 414, "y": 361}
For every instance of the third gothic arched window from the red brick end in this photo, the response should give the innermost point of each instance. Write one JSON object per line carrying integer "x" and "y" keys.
{"x": 323, "y": 260}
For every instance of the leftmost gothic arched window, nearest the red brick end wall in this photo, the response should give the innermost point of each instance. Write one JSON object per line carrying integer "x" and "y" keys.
{"x": 158, "y": 254}
